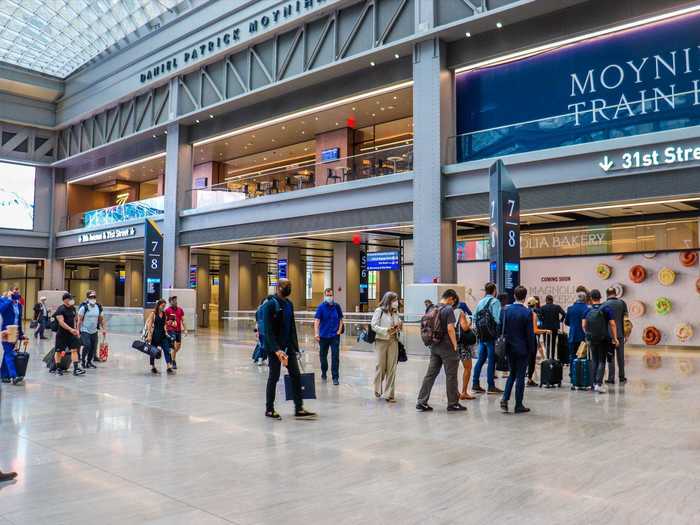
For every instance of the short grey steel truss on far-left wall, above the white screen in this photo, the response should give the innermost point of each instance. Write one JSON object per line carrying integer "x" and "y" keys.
{"x": 27, "y": 144}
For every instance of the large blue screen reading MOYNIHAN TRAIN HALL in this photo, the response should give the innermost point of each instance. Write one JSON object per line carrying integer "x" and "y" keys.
{"x": 637, "y": 81}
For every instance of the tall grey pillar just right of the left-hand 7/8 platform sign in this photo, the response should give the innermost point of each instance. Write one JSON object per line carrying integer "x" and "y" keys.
{"x": 178, "y": 180}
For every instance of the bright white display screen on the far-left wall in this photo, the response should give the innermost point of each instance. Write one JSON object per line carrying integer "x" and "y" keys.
{"x": 16, "y": 196}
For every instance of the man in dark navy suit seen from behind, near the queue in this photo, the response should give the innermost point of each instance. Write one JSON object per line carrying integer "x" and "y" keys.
{"x": 518, "y": 329}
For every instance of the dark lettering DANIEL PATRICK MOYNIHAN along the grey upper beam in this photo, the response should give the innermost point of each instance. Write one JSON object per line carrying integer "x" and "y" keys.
{"x": 232, "y": 36}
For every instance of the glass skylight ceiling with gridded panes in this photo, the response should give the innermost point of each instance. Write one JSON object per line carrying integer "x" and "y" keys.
{"x": 58, "y": 36}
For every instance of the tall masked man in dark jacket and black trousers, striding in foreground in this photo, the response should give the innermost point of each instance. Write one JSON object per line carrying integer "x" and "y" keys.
{"x": 282, "y": 347}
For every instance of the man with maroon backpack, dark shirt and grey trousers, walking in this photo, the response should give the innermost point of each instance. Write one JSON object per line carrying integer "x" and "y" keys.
{"x": 443, "y": 353}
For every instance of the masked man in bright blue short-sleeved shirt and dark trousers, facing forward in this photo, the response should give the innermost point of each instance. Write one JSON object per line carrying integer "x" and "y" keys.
{"x": 328, "y": 325}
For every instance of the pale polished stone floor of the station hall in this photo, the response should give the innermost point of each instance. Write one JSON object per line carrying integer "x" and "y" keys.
{"x": 121, "y": 446}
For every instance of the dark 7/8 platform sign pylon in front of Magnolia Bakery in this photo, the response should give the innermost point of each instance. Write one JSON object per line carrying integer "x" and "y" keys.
{"x": 504, "y": 230}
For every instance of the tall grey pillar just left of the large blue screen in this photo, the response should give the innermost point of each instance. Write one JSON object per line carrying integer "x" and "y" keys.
{"x": 434, "y": 124}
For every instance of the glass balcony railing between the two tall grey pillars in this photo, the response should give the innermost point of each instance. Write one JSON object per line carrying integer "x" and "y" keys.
{"x": 273, "y": 181}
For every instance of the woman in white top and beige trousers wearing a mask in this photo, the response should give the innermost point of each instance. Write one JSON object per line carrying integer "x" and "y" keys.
{"x": 386, "y": 324}
